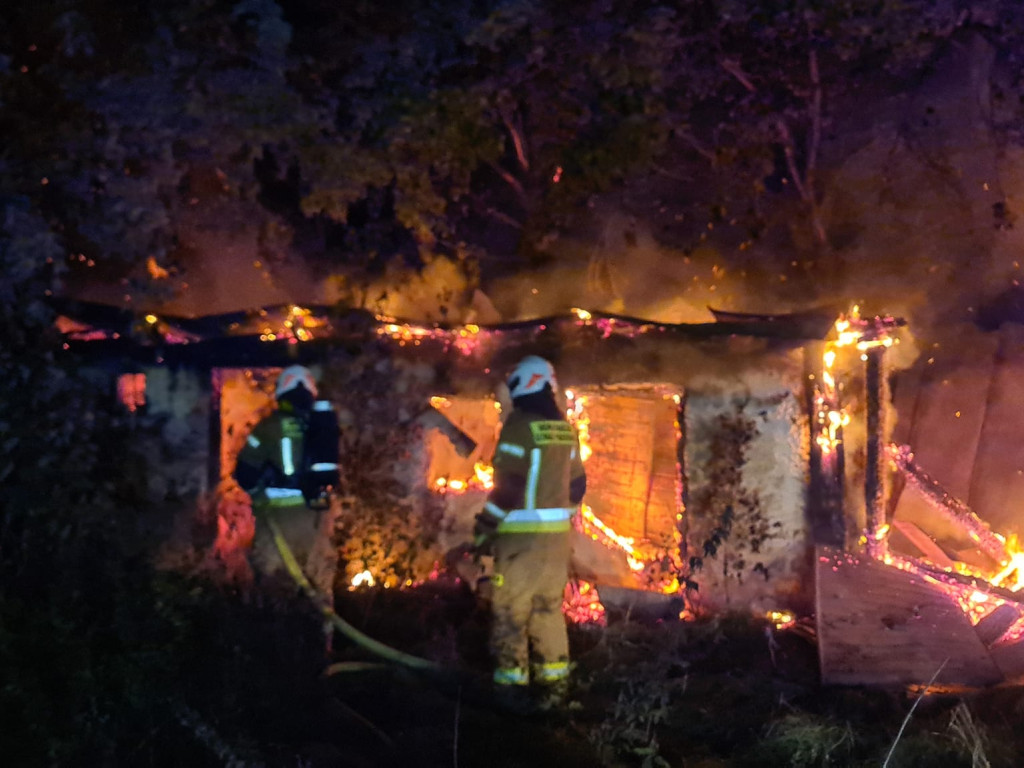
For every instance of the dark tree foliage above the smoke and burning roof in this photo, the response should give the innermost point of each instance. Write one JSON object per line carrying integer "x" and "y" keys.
{"x": 484, "y": 133}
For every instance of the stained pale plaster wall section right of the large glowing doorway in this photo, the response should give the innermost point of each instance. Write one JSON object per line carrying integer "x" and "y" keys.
{"x": 747, "y": 452}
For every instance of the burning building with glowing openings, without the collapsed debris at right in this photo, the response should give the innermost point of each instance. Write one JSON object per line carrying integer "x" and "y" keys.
{"x": 714, "y": 451}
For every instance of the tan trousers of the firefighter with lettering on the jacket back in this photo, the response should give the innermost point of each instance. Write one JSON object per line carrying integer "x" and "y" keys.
{"x": 529, "y": 638}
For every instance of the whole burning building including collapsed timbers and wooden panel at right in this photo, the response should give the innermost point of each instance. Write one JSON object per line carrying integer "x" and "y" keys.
{"x": 745, "y": 464}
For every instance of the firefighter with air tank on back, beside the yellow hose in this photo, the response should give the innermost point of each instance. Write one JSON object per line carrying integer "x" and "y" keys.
{"x": 288, "y": 465}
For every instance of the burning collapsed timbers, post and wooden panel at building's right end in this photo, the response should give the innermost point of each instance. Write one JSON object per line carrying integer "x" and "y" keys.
{"x": 892, "y": 617}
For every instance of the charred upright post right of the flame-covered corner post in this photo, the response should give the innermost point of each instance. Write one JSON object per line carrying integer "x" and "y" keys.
{"x": 875, "y": 497}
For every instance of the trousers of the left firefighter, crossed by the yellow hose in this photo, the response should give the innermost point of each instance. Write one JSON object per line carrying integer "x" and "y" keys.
{"x": 310, "y": 534}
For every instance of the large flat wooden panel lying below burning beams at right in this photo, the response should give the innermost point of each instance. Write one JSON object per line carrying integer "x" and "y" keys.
{"x": 881, "y": 626}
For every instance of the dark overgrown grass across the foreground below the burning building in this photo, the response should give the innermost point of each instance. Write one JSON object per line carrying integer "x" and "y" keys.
{"x": 150, "y": 670}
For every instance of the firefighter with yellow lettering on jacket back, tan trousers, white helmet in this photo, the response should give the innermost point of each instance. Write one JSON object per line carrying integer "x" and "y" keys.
{"x": 539, "y": 483}
